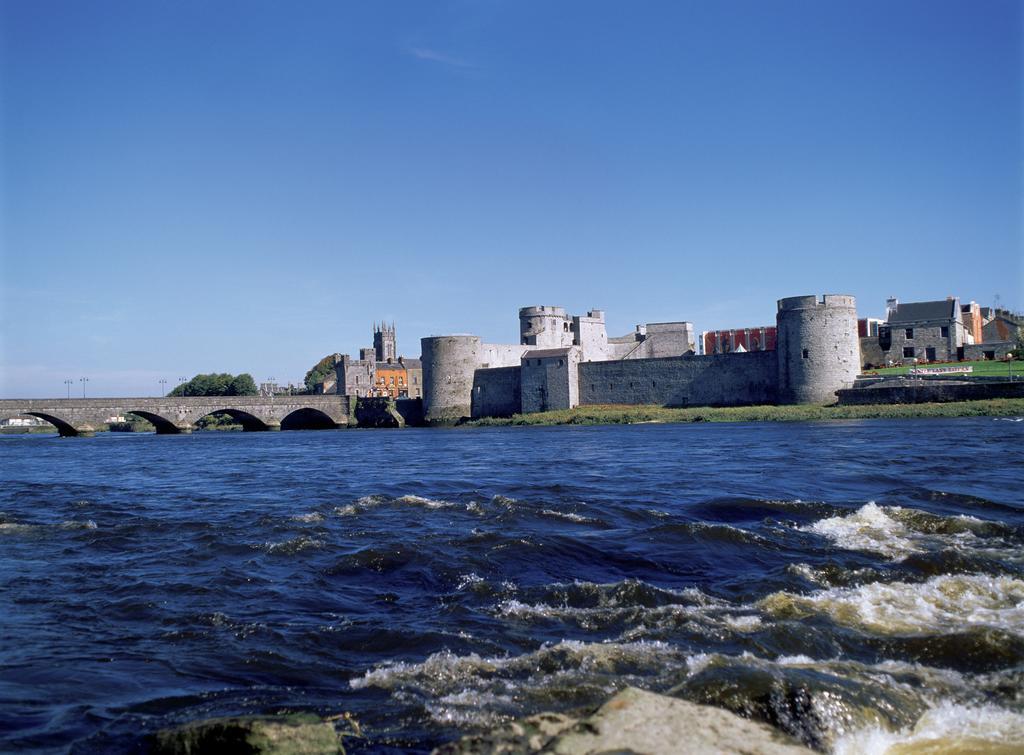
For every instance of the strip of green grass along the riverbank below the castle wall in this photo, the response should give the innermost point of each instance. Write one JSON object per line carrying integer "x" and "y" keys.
{"x": 623, "y": 414}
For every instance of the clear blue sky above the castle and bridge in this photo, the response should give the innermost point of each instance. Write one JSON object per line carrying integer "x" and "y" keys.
{"x": 246, "y": 187}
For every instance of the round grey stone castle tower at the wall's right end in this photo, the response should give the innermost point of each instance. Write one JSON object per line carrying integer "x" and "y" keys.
{"x": 818, "y": 348}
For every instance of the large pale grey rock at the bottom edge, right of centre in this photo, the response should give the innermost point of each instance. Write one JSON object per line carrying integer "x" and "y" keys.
{"x": 633, "y": 722}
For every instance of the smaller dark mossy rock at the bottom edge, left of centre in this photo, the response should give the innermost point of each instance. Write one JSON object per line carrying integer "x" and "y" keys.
{"x": 289, "y": 735}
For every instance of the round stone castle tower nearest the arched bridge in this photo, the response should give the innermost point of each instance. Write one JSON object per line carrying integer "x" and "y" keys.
{"x": 449, "y": 364}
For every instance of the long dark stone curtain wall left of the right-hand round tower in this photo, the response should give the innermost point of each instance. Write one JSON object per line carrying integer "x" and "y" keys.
{"x": 722, "y": 381}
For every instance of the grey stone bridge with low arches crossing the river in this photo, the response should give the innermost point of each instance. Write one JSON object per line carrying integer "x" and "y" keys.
{"x": 84, "y": 416}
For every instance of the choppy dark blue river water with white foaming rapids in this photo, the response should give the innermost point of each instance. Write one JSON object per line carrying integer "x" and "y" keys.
{"x": 858, "y": 584}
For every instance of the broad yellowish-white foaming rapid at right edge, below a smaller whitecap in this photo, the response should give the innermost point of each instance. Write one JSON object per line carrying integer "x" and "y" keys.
{"x": 944, "y": 605}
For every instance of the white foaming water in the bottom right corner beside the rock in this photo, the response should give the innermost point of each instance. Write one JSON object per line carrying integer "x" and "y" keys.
{"x": 948, "y": 728}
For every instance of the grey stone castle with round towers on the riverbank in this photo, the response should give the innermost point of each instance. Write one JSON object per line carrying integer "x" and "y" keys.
{"x": 567, "y": 361}
